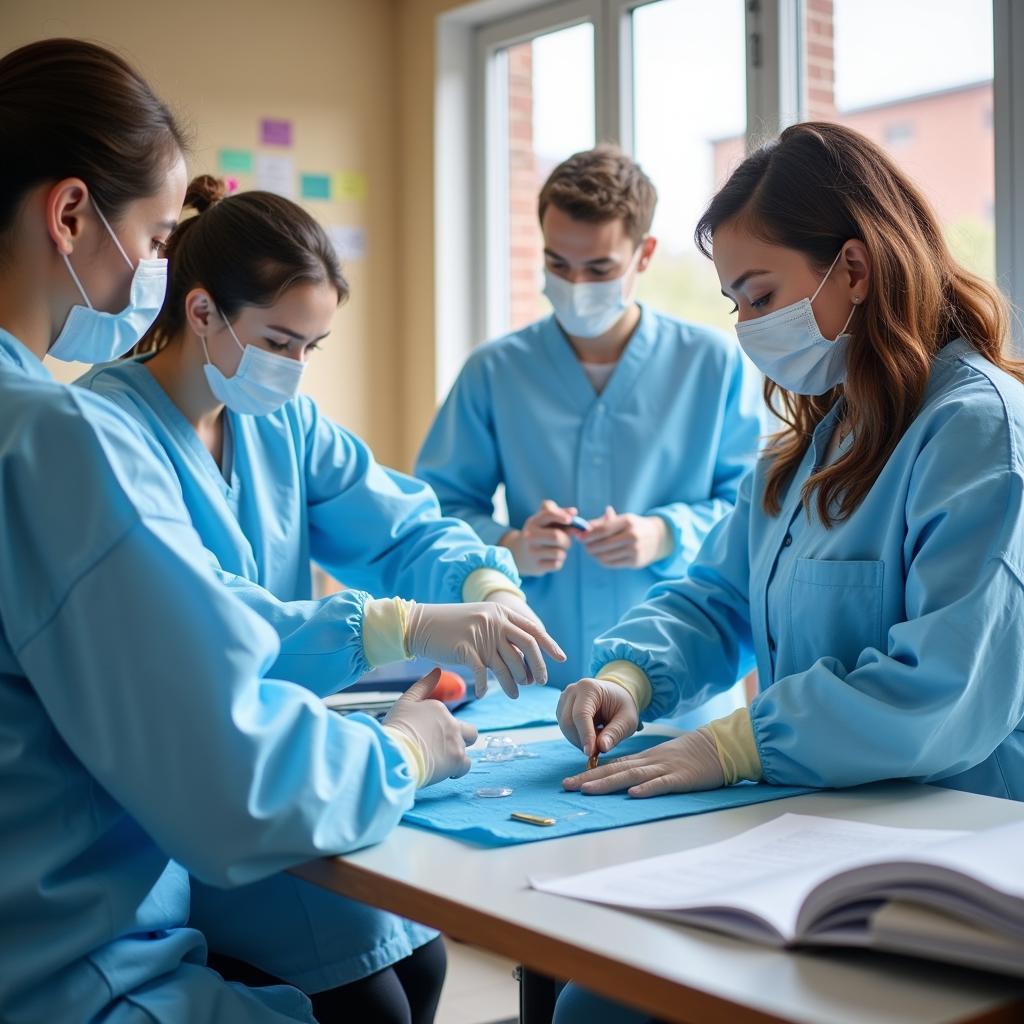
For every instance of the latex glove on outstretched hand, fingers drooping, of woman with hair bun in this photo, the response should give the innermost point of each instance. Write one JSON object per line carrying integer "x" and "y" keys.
{"x": 483, "y": 636}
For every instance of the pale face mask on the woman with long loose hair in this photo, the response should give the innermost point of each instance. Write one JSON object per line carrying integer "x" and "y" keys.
{"x": 789, "y": 348}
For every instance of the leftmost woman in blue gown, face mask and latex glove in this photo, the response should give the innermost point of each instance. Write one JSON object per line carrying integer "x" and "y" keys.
{"x": 143, "y": 735}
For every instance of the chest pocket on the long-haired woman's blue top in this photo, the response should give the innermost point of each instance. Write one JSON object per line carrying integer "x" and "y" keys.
{"x": 835, "y": 611}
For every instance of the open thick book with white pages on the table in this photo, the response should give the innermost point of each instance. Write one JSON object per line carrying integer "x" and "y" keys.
{"x": 801, "y": 880}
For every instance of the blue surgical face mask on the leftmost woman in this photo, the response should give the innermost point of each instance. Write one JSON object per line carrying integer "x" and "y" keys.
{"x": 93, "y": 336}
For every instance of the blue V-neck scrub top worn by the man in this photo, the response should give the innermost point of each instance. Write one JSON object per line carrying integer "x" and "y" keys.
{"x": 673, "y": 434}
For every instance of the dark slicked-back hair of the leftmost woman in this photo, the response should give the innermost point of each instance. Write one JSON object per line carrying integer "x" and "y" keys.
{"x": 71, "y": 109}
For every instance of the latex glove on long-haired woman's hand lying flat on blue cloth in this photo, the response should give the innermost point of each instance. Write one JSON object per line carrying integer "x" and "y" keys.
{"x": 686, "y": 764}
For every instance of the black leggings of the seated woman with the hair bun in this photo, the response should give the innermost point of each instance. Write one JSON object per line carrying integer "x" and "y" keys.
{"x": 406, "y": 993}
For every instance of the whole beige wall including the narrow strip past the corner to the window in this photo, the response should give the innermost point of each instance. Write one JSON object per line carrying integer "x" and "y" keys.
{"x": 358, "y": 79}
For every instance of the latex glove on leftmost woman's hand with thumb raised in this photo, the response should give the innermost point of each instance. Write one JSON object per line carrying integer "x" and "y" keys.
{"x": 438, "y": 737}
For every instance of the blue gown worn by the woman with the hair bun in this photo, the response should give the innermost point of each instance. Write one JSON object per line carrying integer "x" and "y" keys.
{"x": 301, "y": 488}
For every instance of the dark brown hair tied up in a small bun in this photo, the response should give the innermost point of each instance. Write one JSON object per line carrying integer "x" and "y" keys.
{"x": 246, "y": 250}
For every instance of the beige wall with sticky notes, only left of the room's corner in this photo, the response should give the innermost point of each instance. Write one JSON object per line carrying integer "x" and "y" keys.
{"x": 331, "y": 66}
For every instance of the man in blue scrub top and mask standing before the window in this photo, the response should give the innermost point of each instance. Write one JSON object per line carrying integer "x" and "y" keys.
{"x": 642, "y": 424}
